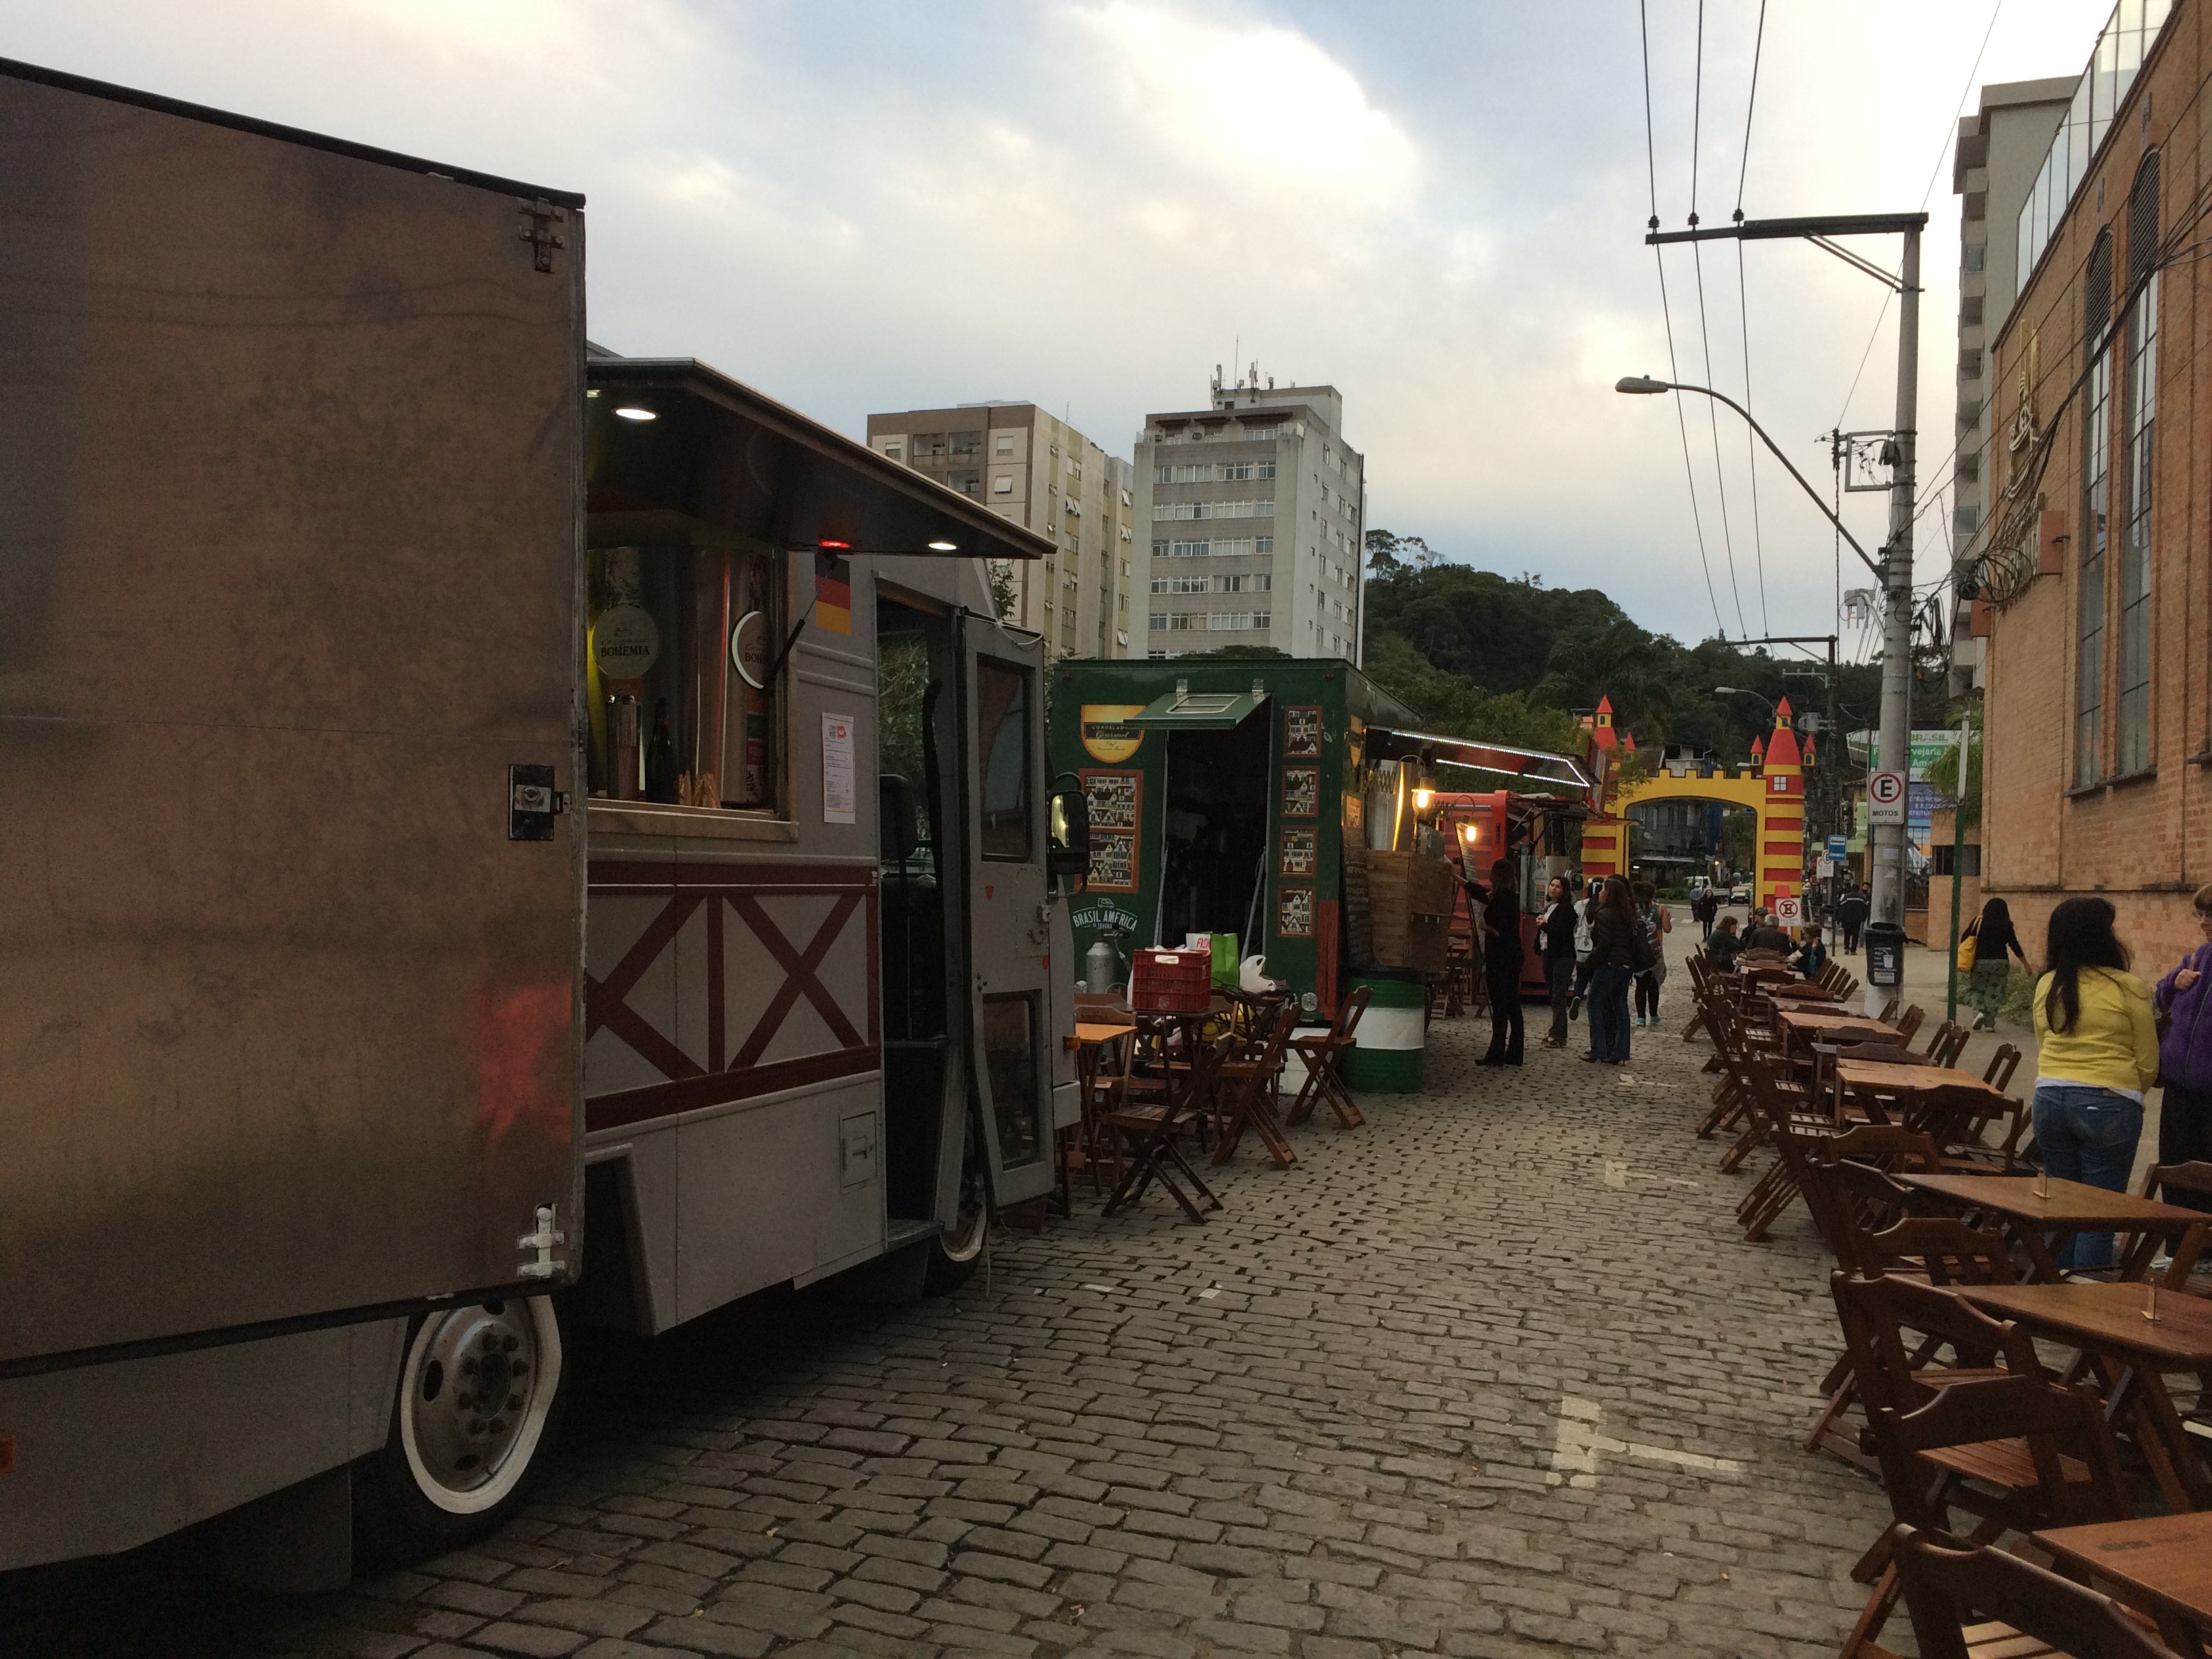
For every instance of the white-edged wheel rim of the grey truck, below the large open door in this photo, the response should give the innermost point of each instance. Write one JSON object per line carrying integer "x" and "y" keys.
{"x": 474, "y": 1399}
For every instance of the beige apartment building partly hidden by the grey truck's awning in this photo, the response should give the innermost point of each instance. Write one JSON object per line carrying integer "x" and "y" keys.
{"x": 1047, "y": 477}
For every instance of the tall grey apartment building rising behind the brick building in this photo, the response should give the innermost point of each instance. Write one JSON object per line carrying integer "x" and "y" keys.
{"x": 1994, "y": 169}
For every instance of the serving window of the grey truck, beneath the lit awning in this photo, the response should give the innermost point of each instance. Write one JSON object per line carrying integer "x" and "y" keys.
{"x": 674, "y": 634}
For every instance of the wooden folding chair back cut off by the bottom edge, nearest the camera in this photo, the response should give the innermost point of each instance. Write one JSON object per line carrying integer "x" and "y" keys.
{"x": 2043, "y": 1614}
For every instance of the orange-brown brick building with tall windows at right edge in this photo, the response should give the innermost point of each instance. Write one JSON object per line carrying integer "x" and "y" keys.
{"x": 2094, "y": 556}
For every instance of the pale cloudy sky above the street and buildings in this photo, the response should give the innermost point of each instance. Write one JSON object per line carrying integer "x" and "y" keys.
{"x": 1437, "y": 207}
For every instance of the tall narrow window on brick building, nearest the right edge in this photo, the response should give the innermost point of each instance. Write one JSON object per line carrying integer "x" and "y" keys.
{"x": 2140, "y": 413}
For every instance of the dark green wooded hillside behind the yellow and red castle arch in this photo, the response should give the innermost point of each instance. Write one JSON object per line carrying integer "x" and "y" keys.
{"x": 1505, "y": 658}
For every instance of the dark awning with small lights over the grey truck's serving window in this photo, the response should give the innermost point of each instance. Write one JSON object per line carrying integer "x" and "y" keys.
{"x": 720, "y": 455}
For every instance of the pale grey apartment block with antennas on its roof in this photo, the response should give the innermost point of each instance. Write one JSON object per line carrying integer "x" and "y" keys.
{"x": 1255, "y": 514}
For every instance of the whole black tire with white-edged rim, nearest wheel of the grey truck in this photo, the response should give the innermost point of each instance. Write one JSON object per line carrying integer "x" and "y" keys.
{"x": 477, "y": 1408}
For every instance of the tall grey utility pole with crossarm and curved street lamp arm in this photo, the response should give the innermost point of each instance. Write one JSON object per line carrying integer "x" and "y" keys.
{"x": 1886, "y": 842}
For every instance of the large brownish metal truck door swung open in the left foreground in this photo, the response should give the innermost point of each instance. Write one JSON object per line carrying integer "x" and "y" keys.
{"x": 291, "y": 570}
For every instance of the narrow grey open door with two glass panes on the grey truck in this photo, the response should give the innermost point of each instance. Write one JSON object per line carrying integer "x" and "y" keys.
{"x": 1010, "y": 904}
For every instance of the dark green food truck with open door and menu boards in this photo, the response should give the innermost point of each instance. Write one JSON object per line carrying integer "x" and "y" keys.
{"x": 1224, "y": 793}
